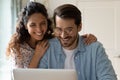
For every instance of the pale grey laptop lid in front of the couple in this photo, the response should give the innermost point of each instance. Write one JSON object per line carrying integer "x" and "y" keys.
{"x": 44, "y": 74}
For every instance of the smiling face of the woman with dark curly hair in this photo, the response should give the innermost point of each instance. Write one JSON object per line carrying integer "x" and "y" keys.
{"x": 37, "y": 26}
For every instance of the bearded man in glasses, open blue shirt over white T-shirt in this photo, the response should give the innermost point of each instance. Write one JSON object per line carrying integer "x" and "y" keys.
{"x": 68, "y": 51}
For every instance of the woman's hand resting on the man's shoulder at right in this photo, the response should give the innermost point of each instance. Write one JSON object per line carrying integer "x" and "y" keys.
{"x": 89, "y": 38}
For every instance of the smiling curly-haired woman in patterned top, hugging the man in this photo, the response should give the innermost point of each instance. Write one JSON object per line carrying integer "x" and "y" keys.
{"x": 29, "y": 42}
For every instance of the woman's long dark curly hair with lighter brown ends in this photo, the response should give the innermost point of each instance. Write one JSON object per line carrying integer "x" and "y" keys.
{"x": 21, "y": 35}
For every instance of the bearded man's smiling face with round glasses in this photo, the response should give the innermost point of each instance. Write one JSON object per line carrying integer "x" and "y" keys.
{"x": 67, "y": 32}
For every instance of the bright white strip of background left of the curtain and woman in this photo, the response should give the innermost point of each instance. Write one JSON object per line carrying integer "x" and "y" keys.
{"x": 5, "y": 33}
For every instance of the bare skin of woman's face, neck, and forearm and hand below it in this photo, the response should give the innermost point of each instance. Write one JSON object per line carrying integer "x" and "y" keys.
{"x": 37, "y": 27}
